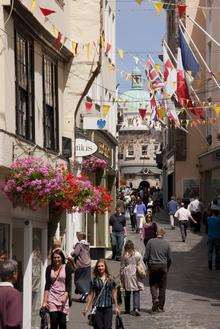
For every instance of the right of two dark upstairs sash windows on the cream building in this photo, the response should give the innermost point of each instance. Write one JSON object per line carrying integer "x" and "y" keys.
{"x": 50, "y": 103}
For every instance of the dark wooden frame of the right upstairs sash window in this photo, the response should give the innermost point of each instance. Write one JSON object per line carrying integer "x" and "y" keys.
{"x": 55, "y": 143}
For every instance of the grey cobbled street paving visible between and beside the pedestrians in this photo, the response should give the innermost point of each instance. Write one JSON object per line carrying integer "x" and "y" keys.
{"x": 193, "y": 294}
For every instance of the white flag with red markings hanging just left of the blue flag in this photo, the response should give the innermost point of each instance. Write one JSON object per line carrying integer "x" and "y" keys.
{"x": 169, "y": 74}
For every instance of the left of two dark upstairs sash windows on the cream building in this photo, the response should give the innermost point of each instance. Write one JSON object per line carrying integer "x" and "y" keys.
{"x": 24, "y": 73}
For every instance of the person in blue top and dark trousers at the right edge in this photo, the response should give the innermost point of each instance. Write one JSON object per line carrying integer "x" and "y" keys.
{"x": 213, "y": 223}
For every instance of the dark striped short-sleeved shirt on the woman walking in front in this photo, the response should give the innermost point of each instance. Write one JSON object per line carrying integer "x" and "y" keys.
{"x": 105, "y": 299}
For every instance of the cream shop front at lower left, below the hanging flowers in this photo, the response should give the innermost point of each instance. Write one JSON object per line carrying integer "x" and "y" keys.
{"x": 23, "y": 235}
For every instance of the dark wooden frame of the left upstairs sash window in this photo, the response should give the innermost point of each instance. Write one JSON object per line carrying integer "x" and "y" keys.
{"x": 29, "y": 133}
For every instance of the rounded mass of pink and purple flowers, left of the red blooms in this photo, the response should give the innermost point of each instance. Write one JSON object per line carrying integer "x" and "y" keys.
{"x": 33, "y": 183}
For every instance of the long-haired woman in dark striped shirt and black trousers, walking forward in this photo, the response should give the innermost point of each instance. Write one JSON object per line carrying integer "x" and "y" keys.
{"x": 102, "y": 296}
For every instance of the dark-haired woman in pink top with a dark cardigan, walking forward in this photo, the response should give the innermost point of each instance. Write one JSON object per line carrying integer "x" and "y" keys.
{"x": 57, "y": 293}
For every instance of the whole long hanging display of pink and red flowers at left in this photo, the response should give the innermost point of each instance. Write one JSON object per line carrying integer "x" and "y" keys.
{"x": 33, "y": 183}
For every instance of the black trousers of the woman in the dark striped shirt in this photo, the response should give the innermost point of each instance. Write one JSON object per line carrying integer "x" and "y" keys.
{"x": 103, "y": 318}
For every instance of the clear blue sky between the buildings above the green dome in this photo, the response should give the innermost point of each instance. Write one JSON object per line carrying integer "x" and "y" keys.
{"x": 139, "y": 29}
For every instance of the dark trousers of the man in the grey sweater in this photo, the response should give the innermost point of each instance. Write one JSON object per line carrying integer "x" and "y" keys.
{"x": 158, "y": 283}
